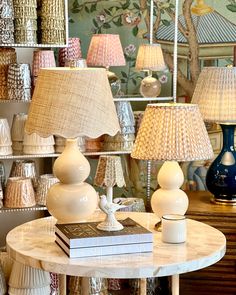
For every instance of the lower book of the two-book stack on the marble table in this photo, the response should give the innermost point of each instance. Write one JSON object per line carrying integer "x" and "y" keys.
{"x": 104, "y": 250}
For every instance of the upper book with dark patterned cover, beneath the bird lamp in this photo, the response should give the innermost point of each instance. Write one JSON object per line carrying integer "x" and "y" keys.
{"x": 86, "y": 234}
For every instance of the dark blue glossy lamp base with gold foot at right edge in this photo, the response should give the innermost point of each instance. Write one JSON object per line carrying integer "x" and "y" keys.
{"x": 221, "y": 175}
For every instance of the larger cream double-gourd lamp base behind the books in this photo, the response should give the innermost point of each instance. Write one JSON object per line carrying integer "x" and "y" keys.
{"x": 71, "y": 200}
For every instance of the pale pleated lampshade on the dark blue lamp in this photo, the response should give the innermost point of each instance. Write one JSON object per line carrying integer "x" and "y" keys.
{"x": 215, "y": 93}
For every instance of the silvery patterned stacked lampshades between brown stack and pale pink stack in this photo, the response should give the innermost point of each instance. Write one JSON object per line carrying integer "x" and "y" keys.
{"x": 19, "y": 82}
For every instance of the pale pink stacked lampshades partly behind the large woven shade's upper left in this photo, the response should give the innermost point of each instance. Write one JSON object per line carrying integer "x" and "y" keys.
{"x": 42, "y": 59}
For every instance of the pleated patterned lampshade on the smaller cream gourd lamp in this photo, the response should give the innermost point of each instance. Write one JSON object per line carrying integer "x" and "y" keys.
{"x": 172, "y": 131}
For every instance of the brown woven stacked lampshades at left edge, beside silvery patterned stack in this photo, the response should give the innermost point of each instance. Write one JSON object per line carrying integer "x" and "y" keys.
{"x": 7, "y": 57}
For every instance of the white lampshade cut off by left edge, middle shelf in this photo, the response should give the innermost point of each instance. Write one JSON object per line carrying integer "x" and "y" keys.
{"x": 5, "y": 138}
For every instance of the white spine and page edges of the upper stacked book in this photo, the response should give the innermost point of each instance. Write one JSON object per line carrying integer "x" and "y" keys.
{"x": 108, "y": 240}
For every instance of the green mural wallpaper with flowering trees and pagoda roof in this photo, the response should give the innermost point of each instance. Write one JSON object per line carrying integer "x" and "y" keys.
{"x": 206, "y": 36}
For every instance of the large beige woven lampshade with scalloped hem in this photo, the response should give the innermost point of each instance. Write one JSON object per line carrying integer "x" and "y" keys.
{"x": 72, "y": 102}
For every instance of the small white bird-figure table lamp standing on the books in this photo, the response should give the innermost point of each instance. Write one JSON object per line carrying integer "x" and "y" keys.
{"x": 108, "y": 174}
